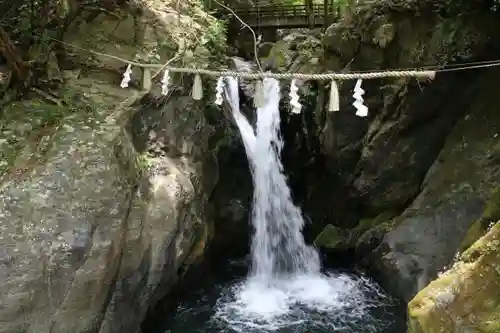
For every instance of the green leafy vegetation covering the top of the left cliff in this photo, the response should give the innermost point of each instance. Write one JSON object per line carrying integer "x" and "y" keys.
{"x": 32, "y": 114}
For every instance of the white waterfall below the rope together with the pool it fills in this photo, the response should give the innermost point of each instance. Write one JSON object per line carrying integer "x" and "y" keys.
{"x": 285, "y": 289}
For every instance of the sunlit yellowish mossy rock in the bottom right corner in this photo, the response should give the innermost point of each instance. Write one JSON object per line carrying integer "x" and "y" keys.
{"x": 465, "y": 298}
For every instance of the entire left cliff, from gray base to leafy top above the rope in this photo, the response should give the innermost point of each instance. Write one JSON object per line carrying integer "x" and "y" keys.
{"x": 103, "y": 189}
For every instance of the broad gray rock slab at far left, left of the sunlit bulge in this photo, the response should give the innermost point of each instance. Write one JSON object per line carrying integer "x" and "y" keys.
{"x": 63, "y": 223}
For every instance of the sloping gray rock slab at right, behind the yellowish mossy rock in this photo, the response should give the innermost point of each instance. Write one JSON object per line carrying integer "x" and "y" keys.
{"x": 430, "y": 231}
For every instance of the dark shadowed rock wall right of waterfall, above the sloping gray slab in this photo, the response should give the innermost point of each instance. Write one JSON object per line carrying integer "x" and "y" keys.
{"x": 384, "y": 157}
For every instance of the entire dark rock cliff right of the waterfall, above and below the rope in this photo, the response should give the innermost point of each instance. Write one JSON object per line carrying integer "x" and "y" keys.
{"x": 418, "y": 168}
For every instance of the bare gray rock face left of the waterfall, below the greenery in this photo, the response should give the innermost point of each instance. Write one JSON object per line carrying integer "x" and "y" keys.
{"x": 96, "y": 232}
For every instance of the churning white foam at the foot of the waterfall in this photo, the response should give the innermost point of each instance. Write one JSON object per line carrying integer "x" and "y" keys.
{"x": 333, "y": 302}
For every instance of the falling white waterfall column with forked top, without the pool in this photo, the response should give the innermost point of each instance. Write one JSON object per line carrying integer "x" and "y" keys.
{"x": 278, "y": 247}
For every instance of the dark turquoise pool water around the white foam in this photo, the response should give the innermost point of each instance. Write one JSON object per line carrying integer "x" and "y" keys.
{"x": 211, "y": 308}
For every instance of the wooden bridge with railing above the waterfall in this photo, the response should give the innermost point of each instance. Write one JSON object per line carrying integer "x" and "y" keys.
{"x": 285, "y": 16}
